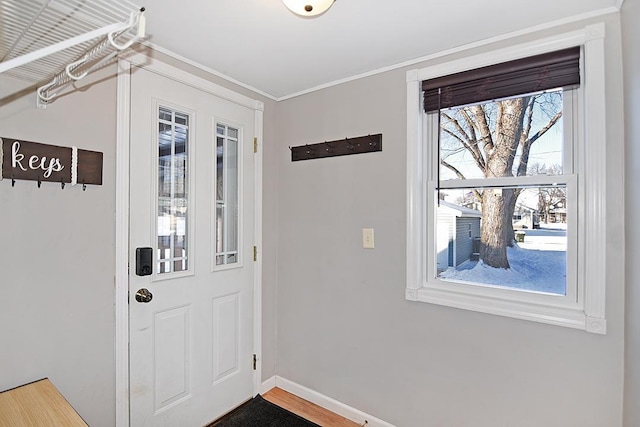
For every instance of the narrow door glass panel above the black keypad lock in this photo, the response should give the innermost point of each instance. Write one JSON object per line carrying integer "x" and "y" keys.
{"x": 173, "y": 191}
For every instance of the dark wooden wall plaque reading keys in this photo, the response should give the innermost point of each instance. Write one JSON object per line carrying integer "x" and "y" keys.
{"x": 33, "y": 161}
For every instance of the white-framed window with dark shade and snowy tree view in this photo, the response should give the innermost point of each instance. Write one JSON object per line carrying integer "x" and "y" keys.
{"x": 482, "y": 139}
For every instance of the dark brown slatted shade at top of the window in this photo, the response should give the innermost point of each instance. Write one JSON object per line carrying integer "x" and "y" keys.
{"x": 527, "y": 75}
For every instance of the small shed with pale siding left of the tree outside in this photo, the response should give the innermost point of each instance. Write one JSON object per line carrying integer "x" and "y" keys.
{"x": 457, "y": 228}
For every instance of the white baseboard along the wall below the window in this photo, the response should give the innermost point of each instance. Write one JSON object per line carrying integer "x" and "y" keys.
{"x": 325, "y": 402}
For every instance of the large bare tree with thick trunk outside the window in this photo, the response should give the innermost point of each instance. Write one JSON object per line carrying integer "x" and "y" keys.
{"x": 498, "y": 136}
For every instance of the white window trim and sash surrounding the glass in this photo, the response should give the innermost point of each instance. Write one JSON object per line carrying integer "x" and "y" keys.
{"x": 589, "y": 312}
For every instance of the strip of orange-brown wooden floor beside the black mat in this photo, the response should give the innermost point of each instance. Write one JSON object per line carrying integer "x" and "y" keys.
{"x": 307, "y": 409}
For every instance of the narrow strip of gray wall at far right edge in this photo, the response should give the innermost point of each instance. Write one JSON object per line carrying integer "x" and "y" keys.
{"x": 630, "y": 38}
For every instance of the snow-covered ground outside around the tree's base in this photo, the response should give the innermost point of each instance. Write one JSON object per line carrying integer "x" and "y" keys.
{"x": 537, "y": 264}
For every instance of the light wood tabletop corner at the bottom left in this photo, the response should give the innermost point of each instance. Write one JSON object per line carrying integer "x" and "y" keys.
{"x": 37, "y": 404}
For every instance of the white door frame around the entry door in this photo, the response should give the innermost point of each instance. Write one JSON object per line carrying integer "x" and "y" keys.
{"x": 122, "y": 216}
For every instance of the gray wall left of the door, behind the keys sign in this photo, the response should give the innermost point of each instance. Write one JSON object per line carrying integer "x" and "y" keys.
{"x": 57, "y": 257}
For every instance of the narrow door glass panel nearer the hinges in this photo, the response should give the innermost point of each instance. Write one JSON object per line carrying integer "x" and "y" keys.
{"x": 227, "y": 188}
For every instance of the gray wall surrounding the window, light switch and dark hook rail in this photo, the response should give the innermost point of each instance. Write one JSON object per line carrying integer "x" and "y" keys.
{"x": 344, "y": 327}
